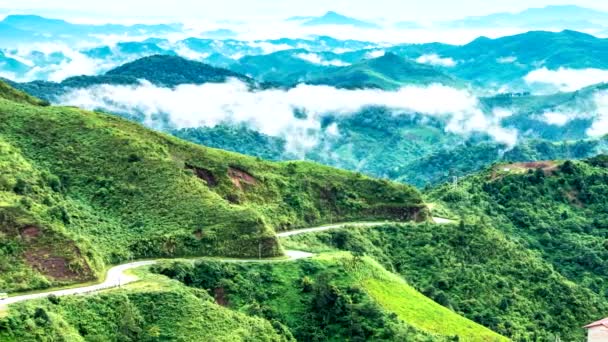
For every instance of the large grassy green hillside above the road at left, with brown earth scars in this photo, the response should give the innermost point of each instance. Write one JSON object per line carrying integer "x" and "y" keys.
{"x": 82, "y": 190}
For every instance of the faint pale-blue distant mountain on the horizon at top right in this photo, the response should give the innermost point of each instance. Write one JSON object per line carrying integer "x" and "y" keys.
{"x": 550, "y": 17}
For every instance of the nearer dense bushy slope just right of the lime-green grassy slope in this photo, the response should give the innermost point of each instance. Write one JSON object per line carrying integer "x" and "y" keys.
{"x": 476, "y": 271}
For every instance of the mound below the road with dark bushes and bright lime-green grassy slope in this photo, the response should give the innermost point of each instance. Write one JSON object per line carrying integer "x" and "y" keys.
{"x": 332, "y": 297}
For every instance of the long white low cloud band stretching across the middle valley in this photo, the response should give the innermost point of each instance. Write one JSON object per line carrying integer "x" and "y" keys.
{"x": 271, "y": 111}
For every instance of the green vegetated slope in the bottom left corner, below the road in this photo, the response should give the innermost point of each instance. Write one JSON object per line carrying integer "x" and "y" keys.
{"x": 154, "y": 310}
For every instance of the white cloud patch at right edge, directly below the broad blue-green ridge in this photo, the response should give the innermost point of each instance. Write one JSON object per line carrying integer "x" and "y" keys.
{"x": 566, "y": 79}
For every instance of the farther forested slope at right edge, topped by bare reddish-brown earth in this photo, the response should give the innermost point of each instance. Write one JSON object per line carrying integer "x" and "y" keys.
{"x": 555, "y": 208}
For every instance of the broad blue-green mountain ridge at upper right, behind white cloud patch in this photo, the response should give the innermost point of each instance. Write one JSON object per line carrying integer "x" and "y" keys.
{"x": 496, "y": 63}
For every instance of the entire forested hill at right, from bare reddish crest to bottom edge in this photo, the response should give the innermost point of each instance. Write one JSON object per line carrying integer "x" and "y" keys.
{"x": 524, "y": 255}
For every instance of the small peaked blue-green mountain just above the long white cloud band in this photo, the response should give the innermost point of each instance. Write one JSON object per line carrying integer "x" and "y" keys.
{"x": 387, "y": 72}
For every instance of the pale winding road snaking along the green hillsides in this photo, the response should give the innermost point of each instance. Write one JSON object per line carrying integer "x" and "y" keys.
{"x": 116, "y": 276}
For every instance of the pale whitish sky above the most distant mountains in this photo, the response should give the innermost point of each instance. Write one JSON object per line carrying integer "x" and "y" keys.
{"x": 249, "y": 9}
